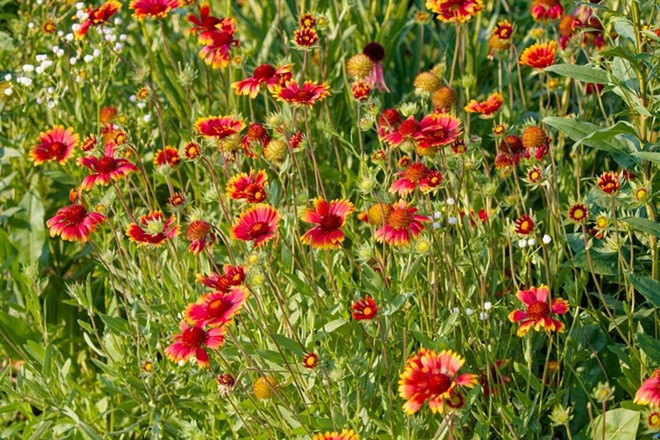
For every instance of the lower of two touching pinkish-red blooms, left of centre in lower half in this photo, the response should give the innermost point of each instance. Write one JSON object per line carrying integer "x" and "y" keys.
{"x": 191, "y": 342}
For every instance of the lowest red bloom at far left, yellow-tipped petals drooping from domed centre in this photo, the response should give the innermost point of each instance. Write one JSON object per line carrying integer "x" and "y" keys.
{"x": 74, "y": 222}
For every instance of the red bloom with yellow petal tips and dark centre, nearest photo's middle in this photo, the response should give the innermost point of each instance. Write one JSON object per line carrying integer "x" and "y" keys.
{"x": 329, "y": 218}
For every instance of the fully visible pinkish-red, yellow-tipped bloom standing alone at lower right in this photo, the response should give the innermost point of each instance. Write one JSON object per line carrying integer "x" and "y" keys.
{"x": 539, "y": 310}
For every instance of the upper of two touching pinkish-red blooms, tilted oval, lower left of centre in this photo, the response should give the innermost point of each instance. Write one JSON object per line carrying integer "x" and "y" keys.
{"x": 217, "y": 308}
